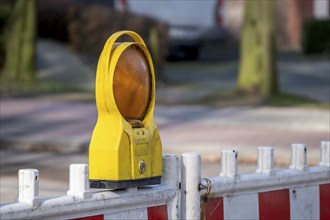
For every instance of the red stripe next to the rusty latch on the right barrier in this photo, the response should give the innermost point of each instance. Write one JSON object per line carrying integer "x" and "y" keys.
{"x": 214, "y": 209}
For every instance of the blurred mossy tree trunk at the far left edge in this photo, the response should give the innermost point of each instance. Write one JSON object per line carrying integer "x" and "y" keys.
{"x": 20, "y": 42}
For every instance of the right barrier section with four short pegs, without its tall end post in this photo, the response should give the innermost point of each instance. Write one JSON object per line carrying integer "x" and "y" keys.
{"x": 300, "y": 192}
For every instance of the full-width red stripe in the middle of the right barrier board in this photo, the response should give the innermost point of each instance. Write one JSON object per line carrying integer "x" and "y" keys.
{"x": 274, "y": 205}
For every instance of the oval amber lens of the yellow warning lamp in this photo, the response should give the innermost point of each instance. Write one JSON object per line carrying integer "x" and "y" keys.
{"x": 132, "y": 84}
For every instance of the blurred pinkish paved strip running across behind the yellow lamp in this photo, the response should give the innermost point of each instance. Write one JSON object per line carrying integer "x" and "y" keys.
{"x": 57, "y": 126}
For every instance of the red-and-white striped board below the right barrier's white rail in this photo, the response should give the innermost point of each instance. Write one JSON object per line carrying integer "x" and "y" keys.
{"x": 304, "y": 202}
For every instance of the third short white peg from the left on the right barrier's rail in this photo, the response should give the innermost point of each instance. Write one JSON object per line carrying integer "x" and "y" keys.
{"x": 299, "y": 157}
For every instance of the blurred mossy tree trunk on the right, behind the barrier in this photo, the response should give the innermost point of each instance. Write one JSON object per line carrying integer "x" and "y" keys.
{"x": 257, "y": 71}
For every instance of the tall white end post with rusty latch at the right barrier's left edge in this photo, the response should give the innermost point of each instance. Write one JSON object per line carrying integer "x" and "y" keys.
{"x": 190, "y": 180}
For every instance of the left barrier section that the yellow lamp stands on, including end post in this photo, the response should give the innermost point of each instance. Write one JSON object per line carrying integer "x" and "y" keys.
{"x": 152, "y": 202}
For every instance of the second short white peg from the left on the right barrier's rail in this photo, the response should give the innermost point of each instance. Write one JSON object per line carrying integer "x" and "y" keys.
{"x": 266, "y": 160}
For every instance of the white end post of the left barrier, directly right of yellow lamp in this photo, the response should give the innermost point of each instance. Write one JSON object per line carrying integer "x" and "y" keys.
{"x": 171, "y": 177}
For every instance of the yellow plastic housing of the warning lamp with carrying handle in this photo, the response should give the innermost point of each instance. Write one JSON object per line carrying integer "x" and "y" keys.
{"x": 124, "y": 149}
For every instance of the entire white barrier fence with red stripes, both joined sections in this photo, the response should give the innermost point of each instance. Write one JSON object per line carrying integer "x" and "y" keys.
{"x": 299, "y": 192}
